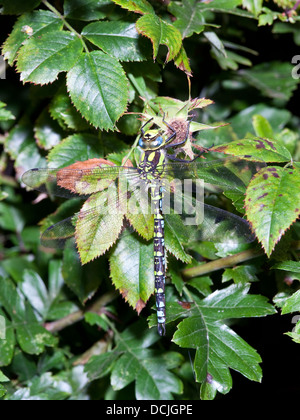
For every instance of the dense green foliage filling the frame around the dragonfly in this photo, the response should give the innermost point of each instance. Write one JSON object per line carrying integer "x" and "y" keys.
{"x": 89, "y": 69}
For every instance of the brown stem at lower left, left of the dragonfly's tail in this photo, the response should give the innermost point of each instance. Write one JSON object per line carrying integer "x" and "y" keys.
{"x": 77, "y": 316}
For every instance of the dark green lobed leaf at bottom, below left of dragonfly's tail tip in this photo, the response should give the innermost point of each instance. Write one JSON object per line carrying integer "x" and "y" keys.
{"x": 132, "y": 360}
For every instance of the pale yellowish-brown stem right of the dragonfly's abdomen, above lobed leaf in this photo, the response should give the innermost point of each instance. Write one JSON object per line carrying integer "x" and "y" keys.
{"x": 229, "y": 261}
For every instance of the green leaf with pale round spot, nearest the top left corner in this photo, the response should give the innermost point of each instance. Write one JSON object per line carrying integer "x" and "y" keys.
{"x": 31, "y": 24}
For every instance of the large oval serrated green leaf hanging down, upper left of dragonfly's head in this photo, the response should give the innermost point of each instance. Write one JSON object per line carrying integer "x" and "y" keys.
{"x": 98, "y": 88}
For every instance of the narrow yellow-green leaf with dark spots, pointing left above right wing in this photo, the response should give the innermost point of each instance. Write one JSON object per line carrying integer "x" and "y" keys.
{"x": 257, "y": 148}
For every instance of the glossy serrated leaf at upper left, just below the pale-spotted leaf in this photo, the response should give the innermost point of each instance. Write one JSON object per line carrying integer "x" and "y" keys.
{"x": 42, "y": 58}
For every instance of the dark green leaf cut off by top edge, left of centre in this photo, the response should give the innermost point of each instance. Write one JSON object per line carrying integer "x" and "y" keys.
{"x": 87, "y": 10}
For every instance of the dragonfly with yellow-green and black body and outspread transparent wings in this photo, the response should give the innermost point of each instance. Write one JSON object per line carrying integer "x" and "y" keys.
{"x": 156, "y": 200}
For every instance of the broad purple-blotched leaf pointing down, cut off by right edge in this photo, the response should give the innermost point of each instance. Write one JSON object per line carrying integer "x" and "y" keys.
{"x": 273, "y": 203}
